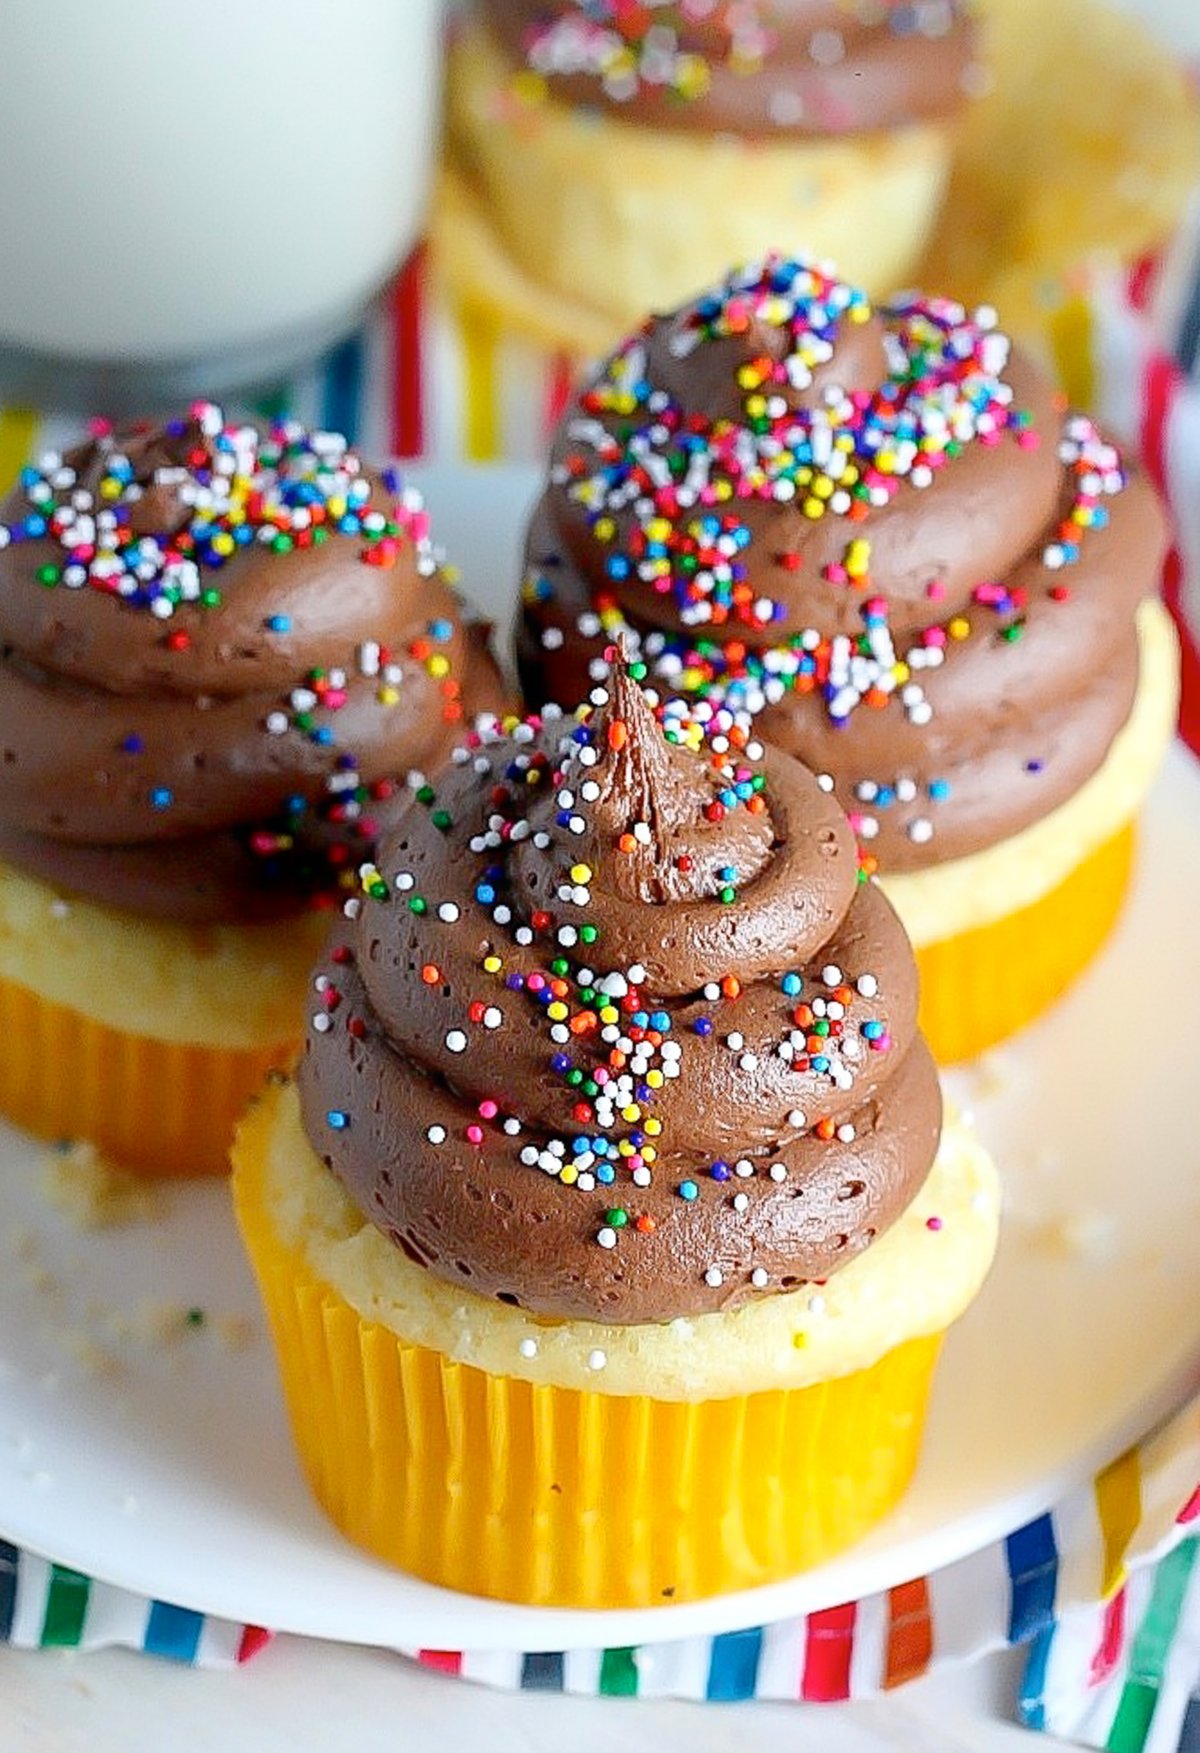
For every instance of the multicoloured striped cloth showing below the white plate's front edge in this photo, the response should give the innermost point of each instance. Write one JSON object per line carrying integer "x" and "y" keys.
{"x": 1105, "y": 1593}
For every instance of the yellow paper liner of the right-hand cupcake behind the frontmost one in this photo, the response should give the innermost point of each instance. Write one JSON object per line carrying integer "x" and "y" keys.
{"x": 982, "y": 986}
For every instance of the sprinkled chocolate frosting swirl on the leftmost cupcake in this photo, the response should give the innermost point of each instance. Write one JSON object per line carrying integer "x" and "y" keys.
{"x": 220, "y": 656}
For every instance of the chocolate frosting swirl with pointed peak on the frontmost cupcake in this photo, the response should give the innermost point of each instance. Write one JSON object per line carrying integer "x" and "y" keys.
{"x": 618, "y": 1032}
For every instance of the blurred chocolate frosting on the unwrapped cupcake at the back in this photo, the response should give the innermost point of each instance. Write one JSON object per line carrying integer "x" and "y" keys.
{"x": 752, "y": 67}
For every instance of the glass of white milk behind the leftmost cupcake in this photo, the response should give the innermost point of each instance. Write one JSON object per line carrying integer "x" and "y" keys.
{"x": 199, "y": 194}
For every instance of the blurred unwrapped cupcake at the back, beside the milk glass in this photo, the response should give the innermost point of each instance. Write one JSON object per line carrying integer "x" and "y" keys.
{"x": 604, "y": 157}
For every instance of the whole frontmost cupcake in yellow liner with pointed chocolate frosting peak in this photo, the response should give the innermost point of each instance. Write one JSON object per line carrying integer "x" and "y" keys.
{"x": 607, "y": 1235}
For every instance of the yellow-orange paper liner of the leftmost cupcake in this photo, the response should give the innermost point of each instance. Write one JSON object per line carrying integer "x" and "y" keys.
{"x": 160, "y": 1109}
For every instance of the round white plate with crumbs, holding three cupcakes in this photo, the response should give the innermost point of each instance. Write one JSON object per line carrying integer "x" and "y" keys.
{"x": 166, "y": 1466}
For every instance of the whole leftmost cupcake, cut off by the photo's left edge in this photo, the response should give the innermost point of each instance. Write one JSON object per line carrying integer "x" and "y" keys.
{"x": 222, "y": 656}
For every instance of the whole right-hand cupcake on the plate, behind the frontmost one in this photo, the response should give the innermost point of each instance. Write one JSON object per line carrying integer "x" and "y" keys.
{"x": 880, "y": 539}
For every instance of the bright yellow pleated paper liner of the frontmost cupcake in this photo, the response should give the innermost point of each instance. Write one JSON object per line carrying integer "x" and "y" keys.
{"x": 567, "y": 1498}
